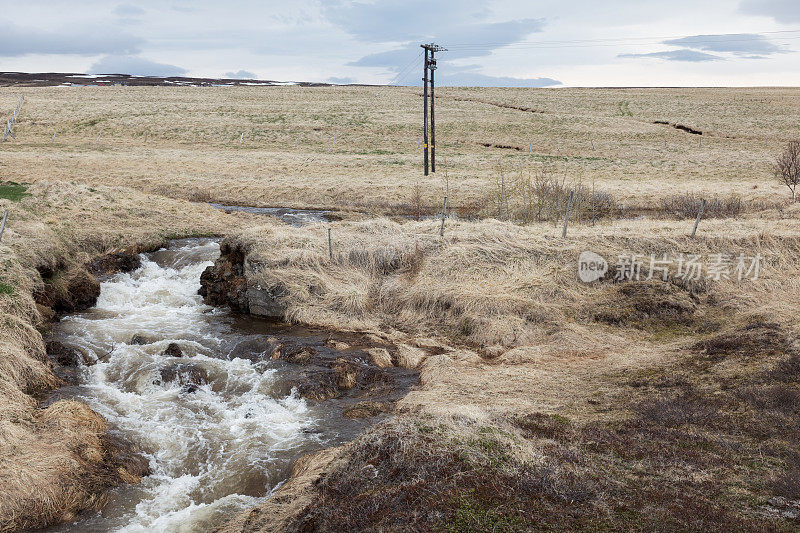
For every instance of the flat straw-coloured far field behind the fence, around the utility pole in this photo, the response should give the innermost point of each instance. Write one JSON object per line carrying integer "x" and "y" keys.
{"x": 602, "y": 137}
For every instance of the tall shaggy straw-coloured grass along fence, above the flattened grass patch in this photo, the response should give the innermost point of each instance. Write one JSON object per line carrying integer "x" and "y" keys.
{"x": 490, "y": 283}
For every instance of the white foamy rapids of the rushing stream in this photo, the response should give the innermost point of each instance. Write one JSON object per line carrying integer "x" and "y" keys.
{"x": 214, "y": 450}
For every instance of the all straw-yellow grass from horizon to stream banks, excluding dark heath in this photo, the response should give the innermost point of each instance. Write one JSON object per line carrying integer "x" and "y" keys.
{"x": 514, "y": 330}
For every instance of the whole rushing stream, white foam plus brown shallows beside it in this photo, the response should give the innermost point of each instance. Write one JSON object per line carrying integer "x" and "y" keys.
{"x": 219, "y": 404}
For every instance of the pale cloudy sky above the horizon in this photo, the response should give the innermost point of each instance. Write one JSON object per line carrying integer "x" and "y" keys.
{"x": 490, "y": 42}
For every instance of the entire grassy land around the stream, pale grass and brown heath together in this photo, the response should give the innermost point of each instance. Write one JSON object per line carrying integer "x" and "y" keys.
{"x": 640, "y": 405}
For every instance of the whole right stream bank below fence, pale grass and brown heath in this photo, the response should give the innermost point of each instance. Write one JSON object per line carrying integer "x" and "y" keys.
{"x": 546, "y": 403}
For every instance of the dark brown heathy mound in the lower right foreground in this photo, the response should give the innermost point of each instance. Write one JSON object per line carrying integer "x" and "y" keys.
{"x": 689, "y": 446}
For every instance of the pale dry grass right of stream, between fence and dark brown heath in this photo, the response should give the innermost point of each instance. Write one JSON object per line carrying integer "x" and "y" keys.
{"x": 506, "y": 299}
